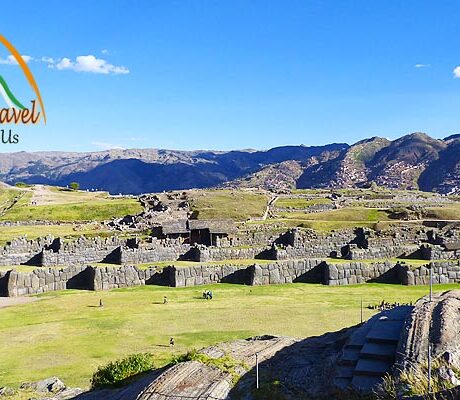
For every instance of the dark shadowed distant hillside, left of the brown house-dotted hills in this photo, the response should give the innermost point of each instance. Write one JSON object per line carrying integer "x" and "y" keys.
{"x": 146, "y": 170}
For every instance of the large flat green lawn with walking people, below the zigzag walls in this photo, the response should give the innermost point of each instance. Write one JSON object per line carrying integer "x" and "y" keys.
{"x": 65, "y": 334}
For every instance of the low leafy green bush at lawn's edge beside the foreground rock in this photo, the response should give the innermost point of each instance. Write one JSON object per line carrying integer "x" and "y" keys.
{"x": 115, "y": 372}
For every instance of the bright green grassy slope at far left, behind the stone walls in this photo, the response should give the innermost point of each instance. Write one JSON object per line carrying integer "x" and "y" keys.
{"x": 93, "y": 210}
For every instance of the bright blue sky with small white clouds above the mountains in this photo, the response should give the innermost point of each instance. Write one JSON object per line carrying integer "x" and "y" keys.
{"x": 227, "y": 74}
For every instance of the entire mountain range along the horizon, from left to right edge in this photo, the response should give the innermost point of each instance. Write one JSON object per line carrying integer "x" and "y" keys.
{"x": 415, "y": 161}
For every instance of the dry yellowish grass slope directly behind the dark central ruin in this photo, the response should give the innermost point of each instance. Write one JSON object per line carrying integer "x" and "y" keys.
{"x": 228, "y": 204}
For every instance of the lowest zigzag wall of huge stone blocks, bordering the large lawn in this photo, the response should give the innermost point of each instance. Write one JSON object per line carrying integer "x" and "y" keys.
{"x": 14, "y": 283}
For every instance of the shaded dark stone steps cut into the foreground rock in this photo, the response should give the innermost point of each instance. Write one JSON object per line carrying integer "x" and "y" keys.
{"x": 370, "y": 352}
